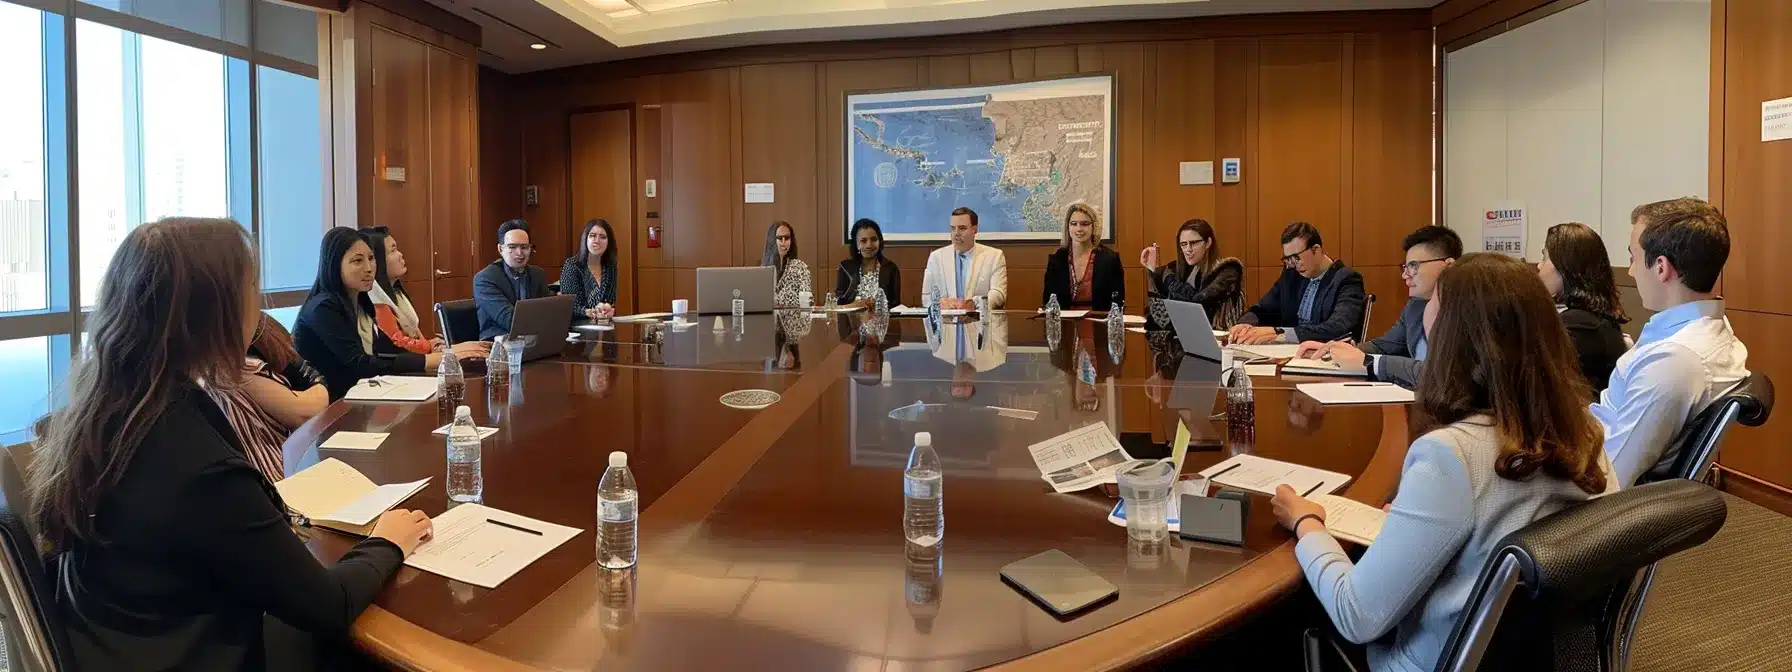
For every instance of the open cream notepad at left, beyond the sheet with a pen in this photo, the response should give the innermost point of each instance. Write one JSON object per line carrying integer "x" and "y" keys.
{"x": 340, "y": 497}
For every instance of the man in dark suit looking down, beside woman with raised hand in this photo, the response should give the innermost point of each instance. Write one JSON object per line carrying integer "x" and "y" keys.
{"x": 1314, "y": 300}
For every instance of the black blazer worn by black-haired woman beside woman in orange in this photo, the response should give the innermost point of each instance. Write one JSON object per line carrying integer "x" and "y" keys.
{"x": 327, "y": 340}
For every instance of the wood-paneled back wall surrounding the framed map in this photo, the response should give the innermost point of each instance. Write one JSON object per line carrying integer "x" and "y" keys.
{"x": 1332, "y": 116}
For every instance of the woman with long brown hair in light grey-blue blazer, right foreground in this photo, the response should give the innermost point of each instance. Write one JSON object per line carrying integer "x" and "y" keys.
{"x": 1510, "y": 440}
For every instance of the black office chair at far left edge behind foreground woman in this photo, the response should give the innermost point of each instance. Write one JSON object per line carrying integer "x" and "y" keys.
{"x": 35, "y": 635}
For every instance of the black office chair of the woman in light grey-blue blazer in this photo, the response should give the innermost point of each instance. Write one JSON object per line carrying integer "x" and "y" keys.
{"x": 1544, "y": 596}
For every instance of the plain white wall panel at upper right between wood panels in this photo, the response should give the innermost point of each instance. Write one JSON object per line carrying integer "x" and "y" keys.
{"x": 1580, "y": 117}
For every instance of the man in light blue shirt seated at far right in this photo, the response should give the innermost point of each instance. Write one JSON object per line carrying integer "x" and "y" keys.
{"x": 1687, "y": 358}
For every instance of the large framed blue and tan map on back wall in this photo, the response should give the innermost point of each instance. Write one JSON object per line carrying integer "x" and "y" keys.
{"x": 1019, "y": 155}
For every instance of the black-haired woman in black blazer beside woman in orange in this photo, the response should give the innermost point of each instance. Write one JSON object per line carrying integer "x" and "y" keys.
{"x": 336, "y": 331}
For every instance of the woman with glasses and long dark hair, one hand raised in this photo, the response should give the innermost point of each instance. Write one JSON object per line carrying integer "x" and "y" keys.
{"x": 1198, "y": 275}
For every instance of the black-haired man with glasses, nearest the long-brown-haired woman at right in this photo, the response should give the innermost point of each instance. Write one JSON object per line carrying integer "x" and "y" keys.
{"x": 1399, "y": 356}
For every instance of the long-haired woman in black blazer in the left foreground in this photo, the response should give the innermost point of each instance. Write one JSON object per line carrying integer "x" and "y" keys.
{"x": 169, "y": 551}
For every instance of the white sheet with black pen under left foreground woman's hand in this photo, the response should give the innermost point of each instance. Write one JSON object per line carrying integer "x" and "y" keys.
{"x": 469, "y": 547}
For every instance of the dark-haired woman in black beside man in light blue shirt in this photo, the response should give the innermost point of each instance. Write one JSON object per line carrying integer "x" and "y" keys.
{"x": 1578, "y": 273}
